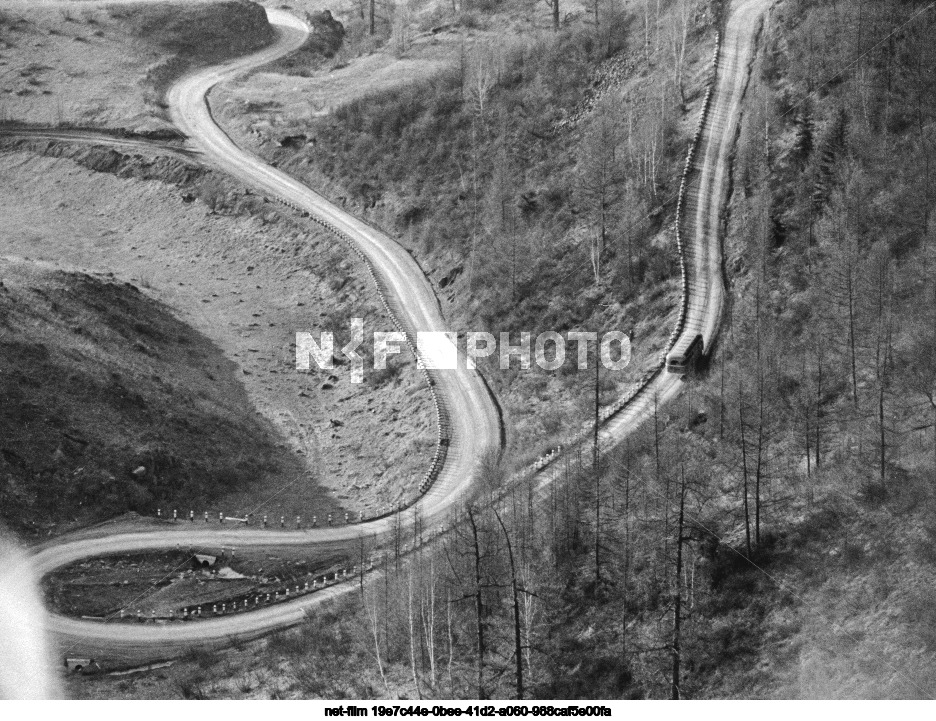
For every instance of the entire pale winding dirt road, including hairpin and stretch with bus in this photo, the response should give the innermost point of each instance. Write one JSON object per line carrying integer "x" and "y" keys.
{"x": 475, "y": 424}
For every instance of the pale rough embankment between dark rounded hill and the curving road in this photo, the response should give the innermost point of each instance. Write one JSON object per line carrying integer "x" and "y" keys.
{"x": 246, "y": 277}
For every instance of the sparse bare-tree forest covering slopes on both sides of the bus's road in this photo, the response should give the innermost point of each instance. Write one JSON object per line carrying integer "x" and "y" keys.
{"x": 744, "y": 542}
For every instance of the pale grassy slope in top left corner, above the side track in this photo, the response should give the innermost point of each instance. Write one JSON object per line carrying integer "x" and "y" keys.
{"x": 110, "y": 66}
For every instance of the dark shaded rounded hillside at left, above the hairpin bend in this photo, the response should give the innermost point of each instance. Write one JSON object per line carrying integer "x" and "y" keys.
{"x": 97, "y": 381}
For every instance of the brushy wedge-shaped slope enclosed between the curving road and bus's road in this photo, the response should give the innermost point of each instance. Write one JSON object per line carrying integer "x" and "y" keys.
{"x": 490, "y": 196}
